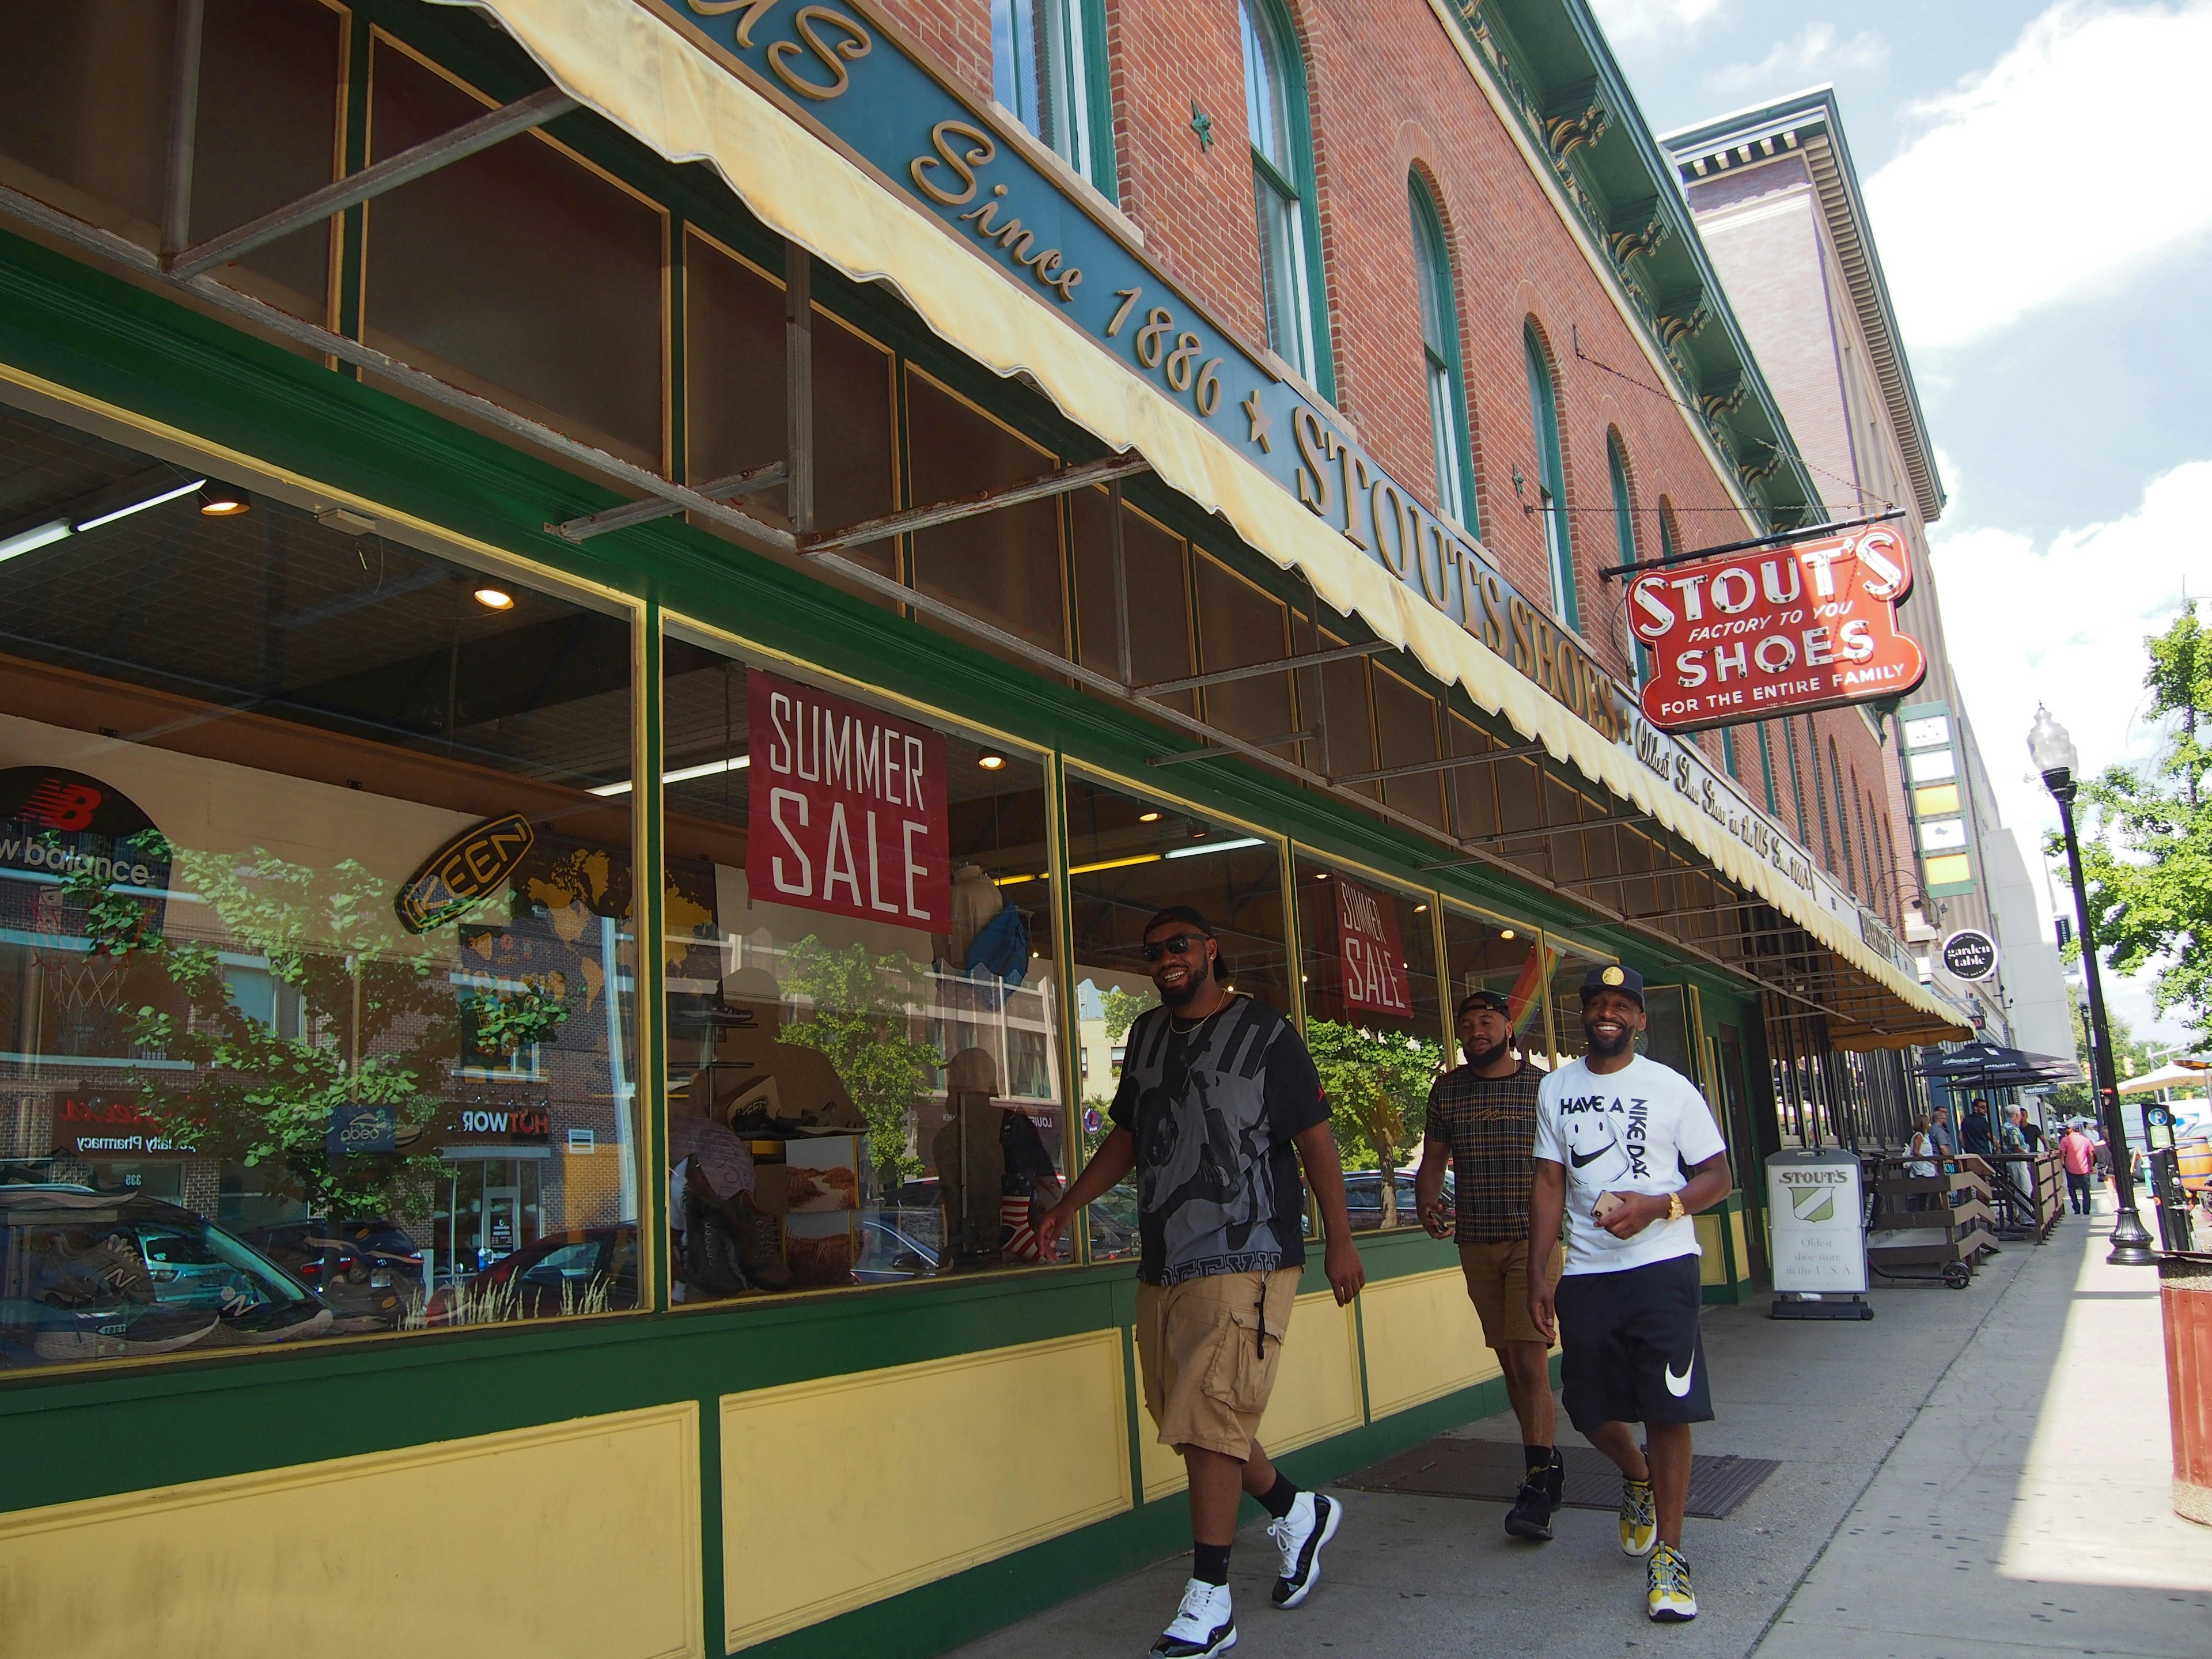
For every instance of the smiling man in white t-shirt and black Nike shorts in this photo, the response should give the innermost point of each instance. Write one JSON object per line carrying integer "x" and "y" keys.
{"x": 1614, "y": 1136}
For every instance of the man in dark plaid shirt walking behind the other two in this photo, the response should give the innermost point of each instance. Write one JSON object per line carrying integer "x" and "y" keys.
{"x": 1483, "y": 1125}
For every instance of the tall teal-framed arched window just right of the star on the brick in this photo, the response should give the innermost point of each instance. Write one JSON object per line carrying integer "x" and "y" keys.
{"x": 1284, "y": 191}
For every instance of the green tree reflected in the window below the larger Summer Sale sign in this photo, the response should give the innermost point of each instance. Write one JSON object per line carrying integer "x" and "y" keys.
{"x": 862, "y": 1016}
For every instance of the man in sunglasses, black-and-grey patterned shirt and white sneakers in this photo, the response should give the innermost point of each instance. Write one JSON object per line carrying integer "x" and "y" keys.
{"x": 1218, "y": 1109}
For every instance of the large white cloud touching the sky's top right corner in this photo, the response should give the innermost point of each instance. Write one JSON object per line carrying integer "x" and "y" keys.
{"x": 2056, "y": 171}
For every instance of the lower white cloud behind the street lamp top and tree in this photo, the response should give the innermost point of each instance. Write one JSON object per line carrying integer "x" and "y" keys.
{"x": 2063, "y": 625}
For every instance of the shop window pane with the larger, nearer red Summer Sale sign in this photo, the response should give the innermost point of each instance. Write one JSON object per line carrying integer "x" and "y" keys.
{"x": 864, "y": 1003}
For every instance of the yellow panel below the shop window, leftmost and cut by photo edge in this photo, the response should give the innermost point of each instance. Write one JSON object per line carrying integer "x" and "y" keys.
{"x": 581, "y": 1538}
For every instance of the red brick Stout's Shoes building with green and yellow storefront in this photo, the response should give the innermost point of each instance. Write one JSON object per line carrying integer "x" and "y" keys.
{"x": 727, "y": 556}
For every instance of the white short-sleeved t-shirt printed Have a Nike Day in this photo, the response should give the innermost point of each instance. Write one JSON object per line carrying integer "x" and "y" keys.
{"x": 1627, "y": 1131}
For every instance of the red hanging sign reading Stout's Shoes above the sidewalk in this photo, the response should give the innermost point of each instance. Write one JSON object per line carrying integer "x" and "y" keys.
{"x": 1777, "y": 632}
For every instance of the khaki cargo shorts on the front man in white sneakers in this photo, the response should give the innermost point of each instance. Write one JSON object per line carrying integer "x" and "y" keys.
{"x": 1207, "y": 1373}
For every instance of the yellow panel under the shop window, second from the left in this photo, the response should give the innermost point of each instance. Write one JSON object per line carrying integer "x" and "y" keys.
{"x": 855, "y": 1488}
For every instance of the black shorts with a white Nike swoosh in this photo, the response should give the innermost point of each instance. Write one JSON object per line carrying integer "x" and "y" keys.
{"x": 1629, "y": 1346}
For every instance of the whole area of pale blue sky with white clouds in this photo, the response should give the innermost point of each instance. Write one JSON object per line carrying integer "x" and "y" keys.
{"x": 2047, "y": 236}
